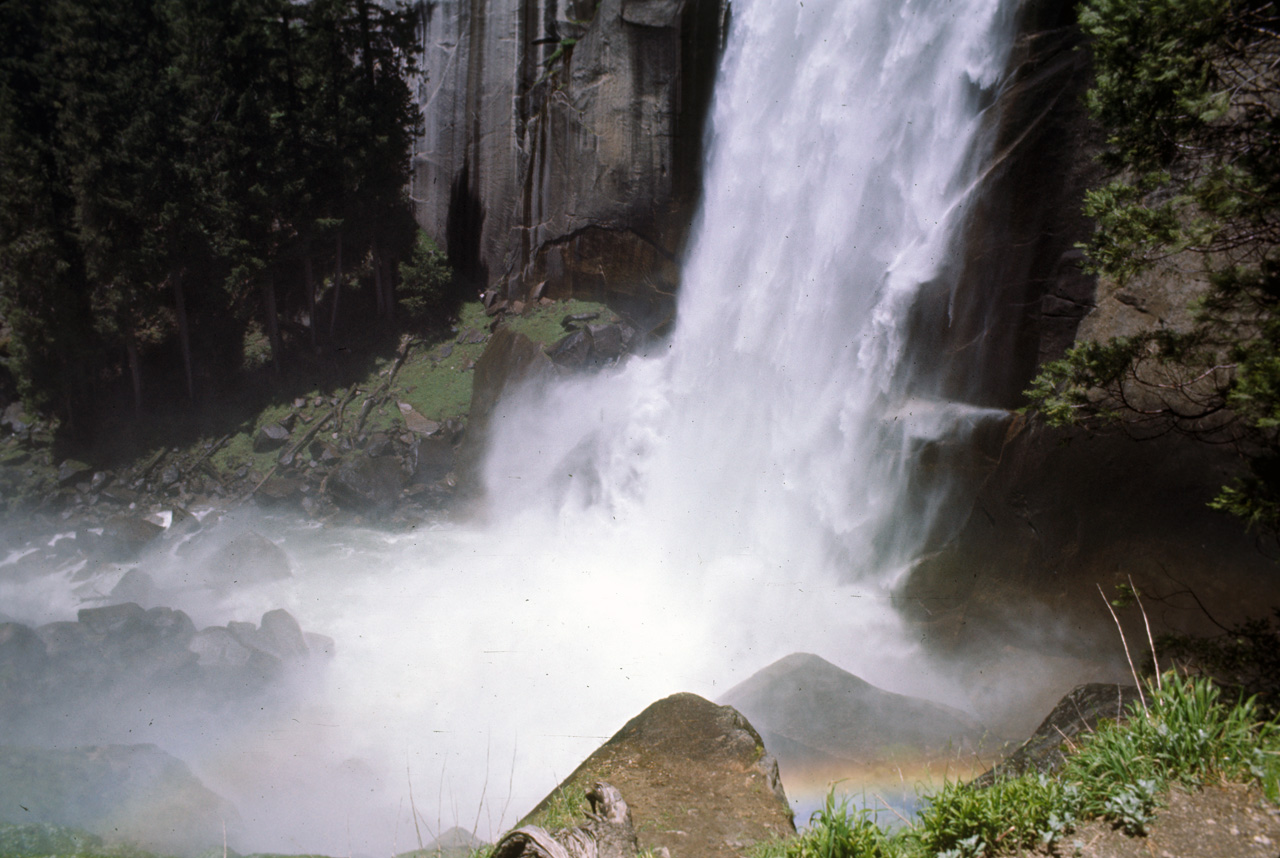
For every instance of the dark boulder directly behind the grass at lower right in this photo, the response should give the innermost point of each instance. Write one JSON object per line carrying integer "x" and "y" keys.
{"x": 1077, "y": 713}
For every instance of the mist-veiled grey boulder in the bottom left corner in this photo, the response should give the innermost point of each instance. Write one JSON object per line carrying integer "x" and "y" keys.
{"x": 125, "y": 793}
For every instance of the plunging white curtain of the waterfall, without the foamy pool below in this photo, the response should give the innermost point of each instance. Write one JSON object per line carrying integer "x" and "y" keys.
{"x": 783, "y": 419}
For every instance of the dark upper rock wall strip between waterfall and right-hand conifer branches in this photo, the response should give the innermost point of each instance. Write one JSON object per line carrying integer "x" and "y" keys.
{"x": 1021, "y": 293}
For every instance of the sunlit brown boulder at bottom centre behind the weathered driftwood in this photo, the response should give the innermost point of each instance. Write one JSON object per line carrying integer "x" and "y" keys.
{"x": 696, "y": 777}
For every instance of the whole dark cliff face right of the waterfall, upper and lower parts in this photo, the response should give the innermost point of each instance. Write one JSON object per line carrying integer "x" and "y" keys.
{"x": 1057, "y": 514}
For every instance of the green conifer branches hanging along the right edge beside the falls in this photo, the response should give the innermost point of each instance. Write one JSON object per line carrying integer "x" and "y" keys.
{"x": 1187, "y": 94}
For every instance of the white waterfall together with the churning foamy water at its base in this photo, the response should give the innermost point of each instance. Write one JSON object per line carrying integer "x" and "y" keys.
{"x": 678, "y": 524}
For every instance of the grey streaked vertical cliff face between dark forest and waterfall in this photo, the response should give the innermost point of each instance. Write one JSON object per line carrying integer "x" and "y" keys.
{"x": 563, "y": 144}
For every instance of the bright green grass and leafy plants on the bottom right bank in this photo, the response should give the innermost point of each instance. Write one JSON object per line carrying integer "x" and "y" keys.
{"x": 1187, "y": 737}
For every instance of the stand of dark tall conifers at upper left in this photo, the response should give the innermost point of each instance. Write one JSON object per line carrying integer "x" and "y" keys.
{"x": 176, "y": 175}
